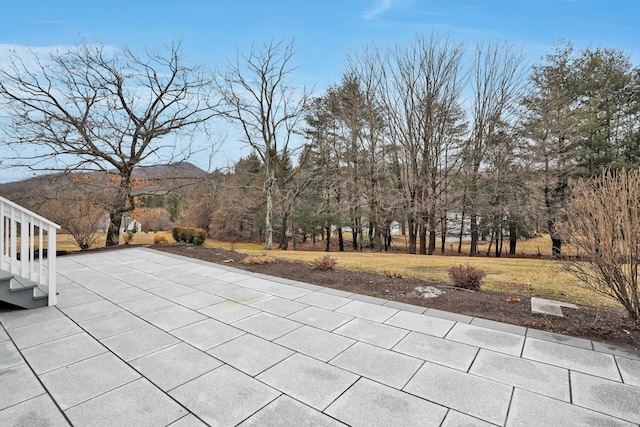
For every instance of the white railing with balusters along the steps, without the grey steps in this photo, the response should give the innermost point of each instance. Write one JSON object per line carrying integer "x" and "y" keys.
{"x": 35, "y": 237}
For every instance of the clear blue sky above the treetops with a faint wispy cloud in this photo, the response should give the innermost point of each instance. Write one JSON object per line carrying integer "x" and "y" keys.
{"x": 324, "y": 30}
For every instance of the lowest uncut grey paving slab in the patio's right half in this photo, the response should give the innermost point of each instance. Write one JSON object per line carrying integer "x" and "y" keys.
{"x": 469, "y": 394}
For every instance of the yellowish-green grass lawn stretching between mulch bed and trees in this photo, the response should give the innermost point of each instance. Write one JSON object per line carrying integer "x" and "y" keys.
{"x": 521, "y": 276}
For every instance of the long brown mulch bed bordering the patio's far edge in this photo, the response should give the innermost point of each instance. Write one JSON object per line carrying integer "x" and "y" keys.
{"x": 601, "y": 324}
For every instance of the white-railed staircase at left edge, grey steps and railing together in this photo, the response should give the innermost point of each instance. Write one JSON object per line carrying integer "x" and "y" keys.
{"x": 27, "y": 257}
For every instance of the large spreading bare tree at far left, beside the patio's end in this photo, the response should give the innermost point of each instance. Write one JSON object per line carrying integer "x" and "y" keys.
{"x": 90, "y": 107}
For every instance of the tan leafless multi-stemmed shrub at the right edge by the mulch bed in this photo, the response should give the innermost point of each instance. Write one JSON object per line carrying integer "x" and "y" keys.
{"x": 603, "y": 221}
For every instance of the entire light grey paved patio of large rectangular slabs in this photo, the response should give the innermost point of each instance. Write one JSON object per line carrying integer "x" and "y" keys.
{"x": 144, "y": 338}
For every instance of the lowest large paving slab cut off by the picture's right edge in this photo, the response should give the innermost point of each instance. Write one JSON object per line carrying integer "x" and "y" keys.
{"x": 609, "y": 397}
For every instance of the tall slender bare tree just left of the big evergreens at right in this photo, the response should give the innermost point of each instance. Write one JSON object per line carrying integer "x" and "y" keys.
{"x": 497, "y": 77}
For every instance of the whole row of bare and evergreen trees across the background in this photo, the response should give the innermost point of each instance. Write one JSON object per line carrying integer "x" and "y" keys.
{"x": 434, "y": 136}
